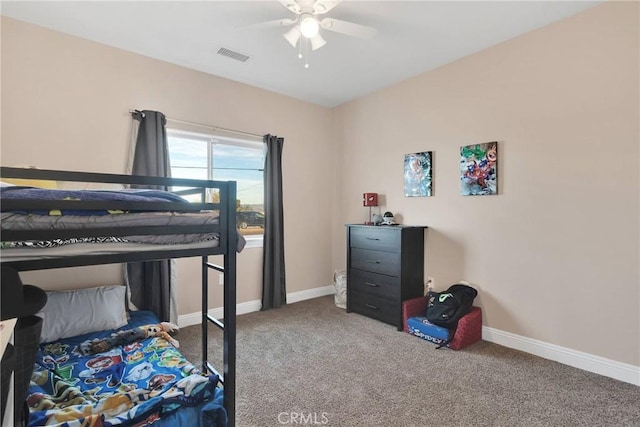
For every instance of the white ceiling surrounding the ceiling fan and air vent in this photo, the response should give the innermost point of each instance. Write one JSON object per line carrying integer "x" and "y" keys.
{"x": 413, "y": 37}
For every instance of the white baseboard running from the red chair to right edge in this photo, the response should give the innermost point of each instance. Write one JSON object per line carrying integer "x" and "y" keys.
{"x": 585, "y": 361}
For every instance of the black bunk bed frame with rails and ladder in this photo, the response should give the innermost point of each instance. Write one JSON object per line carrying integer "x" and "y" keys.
{"x": 227, "y": 244}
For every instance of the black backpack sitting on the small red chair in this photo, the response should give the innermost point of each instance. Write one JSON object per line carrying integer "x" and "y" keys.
{"x": 447, "y": 308}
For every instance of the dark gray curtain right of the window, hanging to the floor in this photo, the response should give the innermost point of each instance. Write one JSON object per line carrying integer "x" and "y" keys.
{"x": 273, "y": 276}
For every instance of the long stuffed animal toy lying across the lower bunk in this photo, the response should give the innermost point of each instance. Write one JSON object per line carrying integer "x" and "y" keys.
{"x": 128, "y": 336}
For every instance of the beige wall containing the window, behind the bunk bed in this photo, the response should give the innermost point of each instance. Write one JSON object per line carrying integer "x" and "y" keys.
{"x": 65, "y": 104}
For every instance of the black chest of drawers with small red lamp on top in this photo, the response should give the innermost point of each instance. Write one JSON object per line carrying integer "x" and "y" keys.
{"x": 385, "y": 266}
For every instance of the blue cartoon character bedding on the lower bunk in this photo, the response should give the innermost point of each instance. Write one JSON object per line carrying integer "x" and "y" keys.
{"x": 145, "y": 381}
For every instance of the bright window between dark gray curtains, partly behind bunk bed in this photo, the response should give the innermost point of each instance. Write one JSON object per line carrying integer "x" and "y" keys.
{"x": 202, "y": 156}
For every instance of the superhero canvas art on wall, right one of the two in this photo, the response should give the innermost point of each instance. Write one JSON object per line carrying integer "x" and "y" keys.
{"x": 479, "y": 169}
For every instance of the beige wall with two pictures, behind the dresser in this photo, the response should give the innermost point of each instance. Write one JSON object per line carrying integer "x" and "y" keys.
{"x": 555, "y": 255}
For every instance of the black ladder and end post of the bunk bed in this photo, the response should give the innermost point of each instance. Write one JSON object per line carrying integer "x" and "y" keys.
{"x": 228, "y": 376}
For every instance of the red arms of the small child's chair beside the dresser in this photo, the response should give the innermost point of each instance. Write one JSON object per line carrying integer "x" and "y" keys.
{"x": 469, "y": 330}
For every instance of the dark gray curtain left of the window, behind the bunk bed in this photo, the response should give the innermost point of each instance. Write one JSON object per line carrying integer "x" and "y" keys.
{"x": 150, "y": 282}
